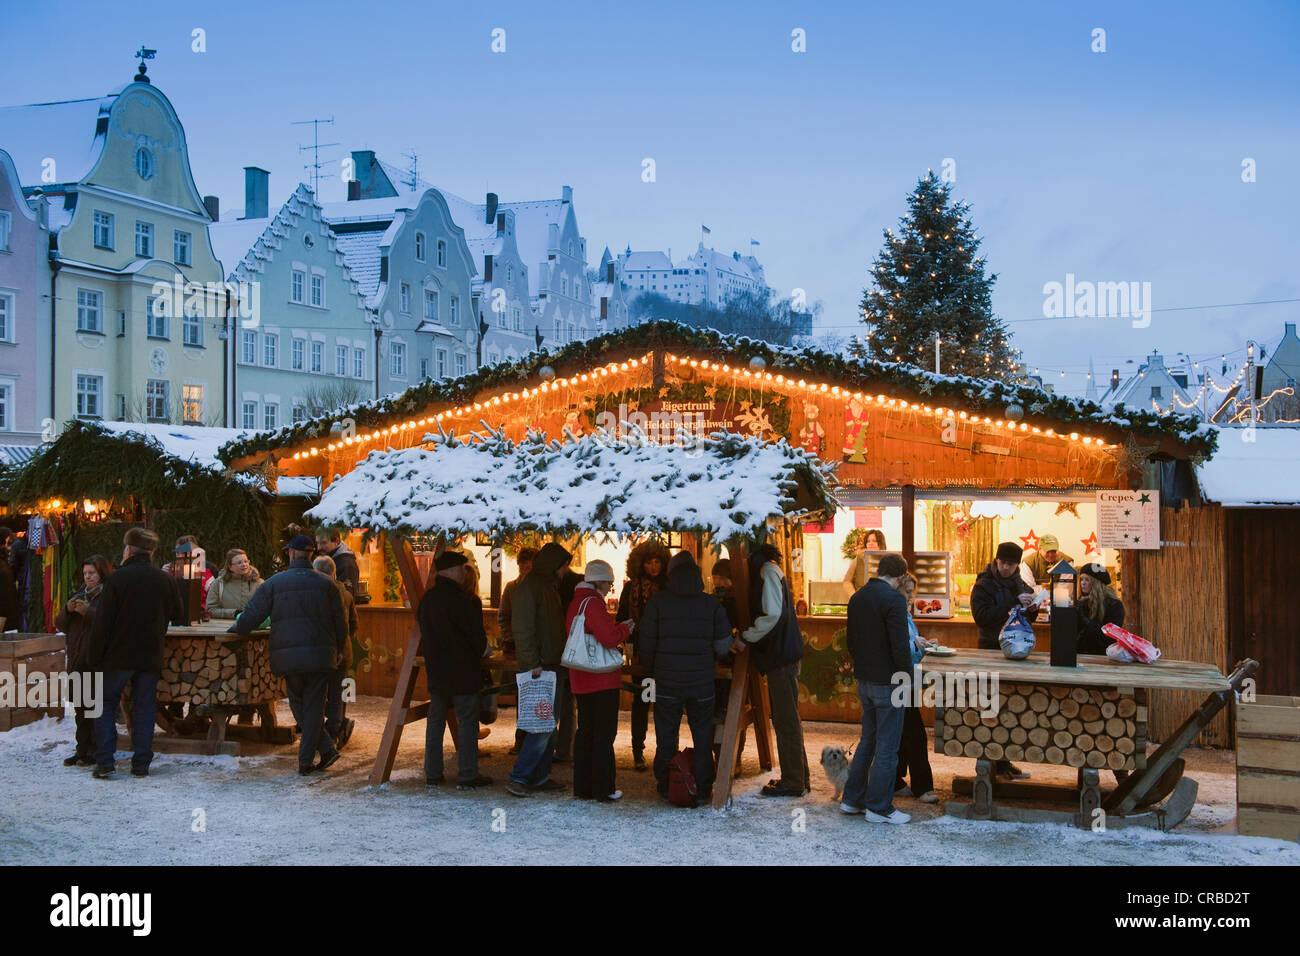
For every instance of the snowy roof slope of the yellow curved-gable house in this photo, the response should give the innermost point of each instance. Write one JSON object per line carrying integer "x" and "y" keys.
{"x": 63, "y": 132}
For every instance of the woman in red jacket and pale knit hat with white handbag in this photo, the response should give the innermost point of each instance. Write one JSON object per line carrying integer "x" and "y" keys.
{"x": 597, "y": 695}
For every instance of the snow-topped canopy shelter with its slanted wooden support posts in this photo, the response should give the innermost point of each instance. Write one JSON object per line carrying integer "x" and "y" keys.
{"x": 723, "y": 491}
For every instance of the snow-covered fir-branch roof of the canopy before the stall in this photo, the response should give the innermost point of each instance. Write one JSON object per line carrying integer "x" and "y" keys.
{"x": 725, "y": 486}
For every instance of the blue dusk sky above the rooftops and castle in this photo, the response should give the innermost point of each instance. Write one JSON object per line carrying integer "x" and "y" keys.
{"x": 1124, "y": 166}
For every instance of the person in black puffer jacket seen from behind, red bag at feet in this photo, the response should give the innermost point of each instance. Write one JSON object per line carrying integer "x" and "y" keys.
{"x": 682, "y": 634}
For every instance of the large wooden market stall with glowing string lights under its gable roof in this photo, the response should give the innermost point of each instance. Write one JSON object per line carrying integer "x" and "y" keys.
{"x": 948, "y": 465}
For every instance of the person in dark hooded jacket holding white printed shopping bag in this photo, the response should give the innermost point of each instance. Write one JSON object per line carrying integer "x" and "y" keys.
{"x": 538, "y": 624}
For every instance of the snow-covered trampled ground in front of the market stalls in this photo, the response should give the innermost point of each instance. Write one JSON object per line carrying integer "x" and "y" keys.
{"x": 258, "y": 811}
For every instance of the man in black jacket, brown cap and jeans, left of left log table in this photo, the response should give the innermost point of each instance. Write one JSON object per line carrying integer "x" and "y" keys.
{"x": 136, "y": 608}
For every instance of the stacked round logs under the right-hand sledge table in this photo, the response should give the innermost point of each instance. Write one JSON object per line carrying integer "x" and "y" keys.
{"x": 1052, "y": 724}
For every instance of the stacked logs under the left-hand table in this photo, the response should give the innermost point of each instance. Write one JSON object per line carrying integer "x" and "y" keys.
{"x": 206, "y": 672}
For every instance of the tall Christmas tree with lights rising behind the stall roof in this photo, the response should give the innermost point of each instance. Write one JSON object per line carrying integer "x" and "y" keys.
{"x": 930, "y": 282}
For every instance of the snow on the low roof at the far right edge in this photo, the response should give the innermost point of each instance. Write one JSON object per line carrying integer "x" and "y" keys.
{"x": 1254, "y": 468}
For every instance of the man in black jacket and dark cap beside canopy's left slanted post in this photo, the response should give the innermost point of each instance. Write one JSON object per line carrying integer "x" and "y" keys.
{"x": 453, "y": 642}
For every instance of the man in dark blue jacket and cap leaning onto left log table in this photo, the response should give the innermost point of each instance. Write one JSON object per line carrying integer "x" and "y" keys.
{"x": 307, "y": 635}
